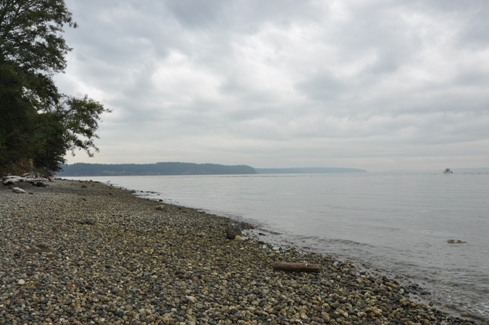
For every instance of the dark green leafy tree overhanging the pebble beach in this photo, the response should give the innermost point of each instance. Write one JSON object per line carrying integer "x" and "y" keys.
{"x": 37, "y": 122}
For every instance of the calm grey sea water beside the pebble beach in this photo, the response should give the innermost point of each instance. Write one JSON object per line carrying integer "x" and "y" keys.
{"x": 397, "y": 223}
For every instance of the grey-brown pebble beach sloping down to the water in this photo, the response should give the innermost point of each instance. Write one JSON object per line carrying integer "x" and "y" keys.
{"x": 79, "y": 252}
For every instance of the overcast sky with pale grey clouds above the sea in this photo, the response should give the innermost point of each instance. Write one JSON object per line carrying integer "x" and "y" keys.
{"x": 370, "y": 84}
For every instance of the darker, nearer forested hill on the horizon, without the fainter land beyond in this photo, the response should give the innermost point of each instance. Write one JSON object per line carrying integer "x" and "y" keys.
{"x": 161, "y": 168}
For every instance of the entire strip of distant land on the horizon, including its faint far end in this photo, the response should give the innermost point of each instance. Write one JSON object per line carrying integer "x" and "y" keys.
{"x": 180, "y": 168}
